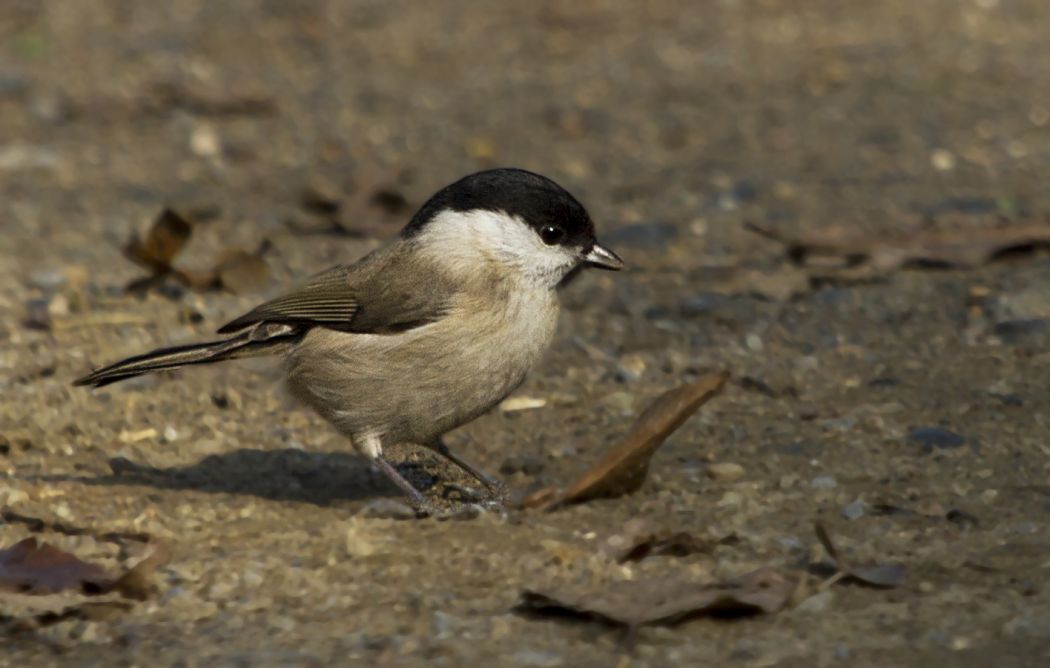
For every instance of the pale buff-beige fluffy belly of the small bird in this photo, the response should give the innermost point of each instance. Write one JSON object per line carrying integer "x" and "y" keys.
{"x": 416, "y": 386}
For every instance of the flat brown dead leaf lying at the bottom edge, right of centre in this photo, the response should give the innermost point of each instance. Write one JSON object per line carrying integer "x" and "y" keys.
{"x": 668, "y": 601}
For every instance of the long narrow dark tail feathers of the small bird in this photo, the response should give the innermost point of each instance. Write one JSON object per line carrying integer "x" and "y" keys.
{"x": 242, "y": 346}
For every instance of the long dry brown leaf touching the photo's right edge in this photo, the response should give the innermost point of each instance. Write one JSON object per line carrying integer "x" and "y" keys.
{"x": 842, "y": 249}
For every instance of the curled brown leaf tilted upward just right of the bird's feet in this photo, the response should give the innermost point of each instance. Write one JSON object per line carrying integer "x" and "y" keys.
{"x": 624, "y": 469}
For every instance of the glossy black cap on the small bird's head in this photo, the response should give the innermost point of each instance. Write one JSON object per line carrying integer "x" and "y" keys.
{"x": 536, "y": 200}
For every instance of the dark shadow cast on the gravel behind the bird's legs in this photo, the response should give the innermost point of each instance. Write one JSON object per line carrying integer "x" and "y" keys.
{"x": 279, "y": 475}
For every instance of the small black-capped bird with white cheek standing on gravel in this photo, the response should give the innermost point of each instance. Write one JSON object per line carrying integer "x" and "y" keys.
{"x": 427, "y": 333}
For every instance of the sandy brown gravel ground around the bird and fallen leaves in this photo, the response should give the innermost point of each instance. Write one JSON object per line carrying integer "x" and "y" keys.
{"x": 907, "y": 411}
